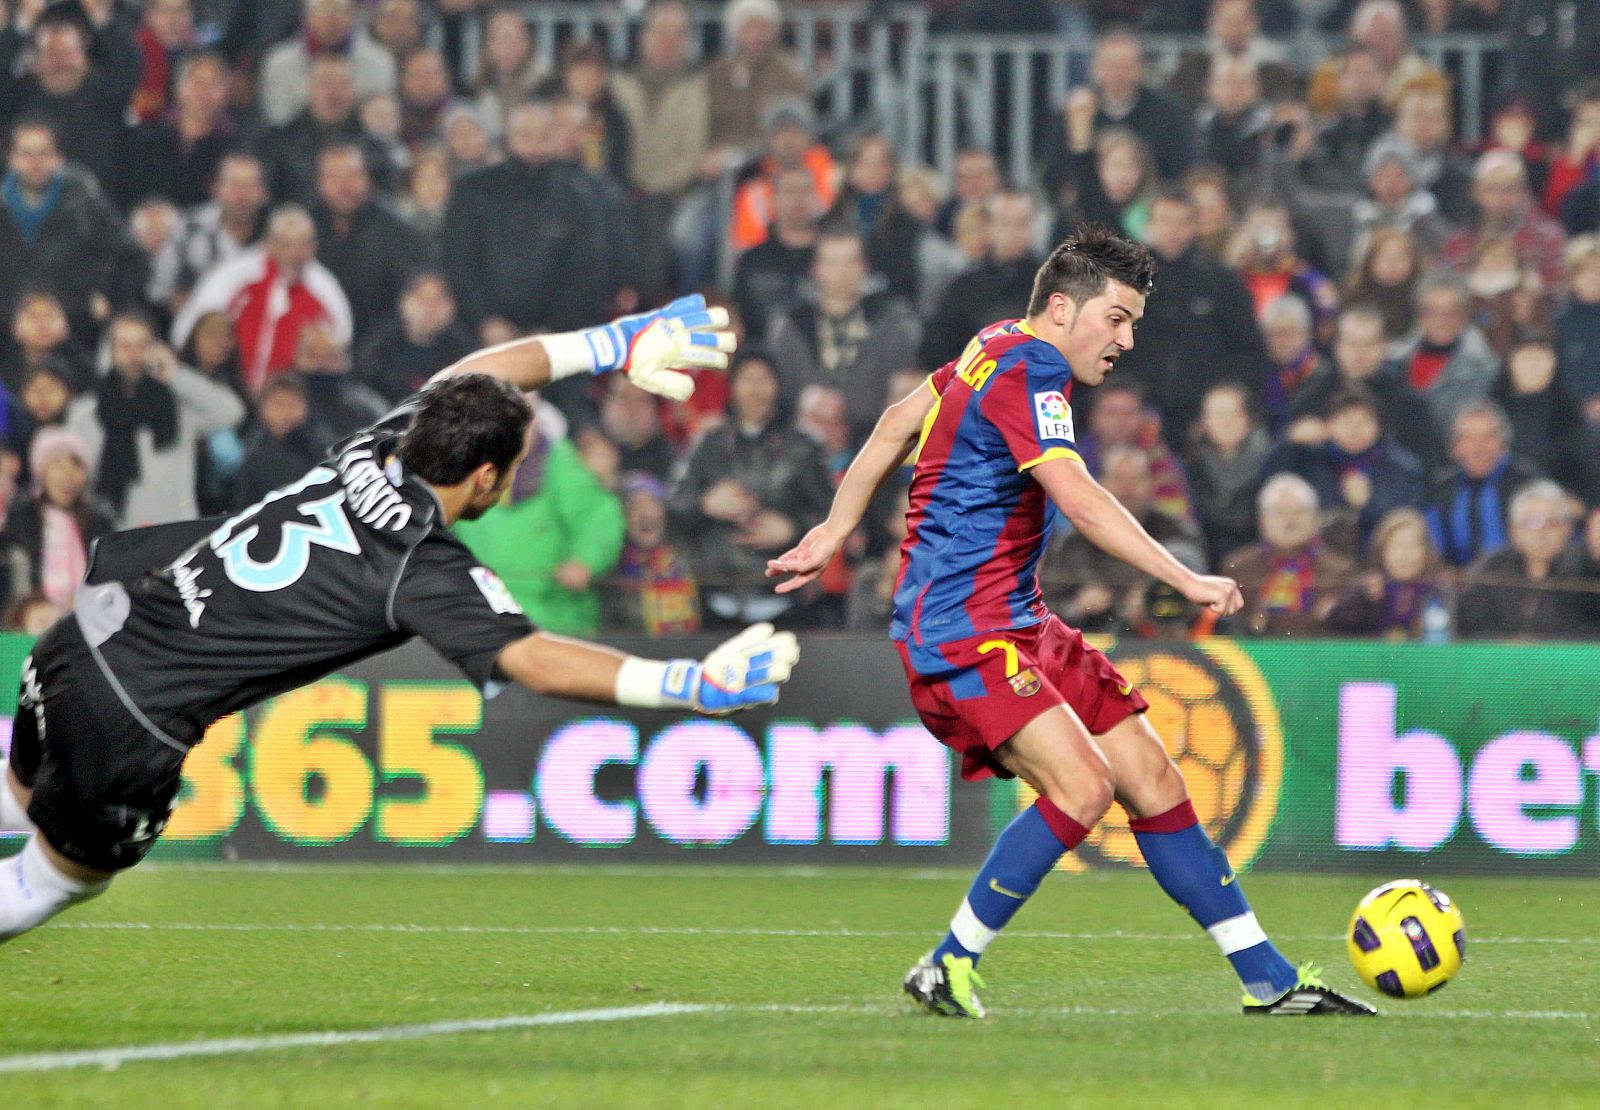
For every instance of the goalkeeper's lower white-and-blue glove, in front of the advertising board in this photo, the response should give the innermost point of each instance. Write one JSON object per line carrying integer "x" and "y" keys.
{"x": 743, "y": 673}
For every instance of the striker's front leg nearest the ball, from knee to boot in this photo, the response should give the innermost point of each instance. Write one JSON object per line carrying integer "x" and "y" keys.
{"x": 1196, "y": 874}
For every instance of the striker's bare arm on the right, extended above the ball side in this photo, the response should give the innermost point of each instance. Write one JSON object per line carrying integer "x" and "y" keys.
{"x": 1114, "y": 530}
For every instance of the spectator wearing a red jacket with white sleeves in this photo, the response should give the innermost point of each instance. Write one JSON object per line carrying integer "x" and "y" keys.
{"x": 271, "y": 293}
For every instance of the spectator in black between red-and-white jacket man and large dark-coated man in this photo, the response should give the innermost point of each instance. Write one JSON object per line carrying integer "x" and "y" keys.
{"x": 366, "y": 246}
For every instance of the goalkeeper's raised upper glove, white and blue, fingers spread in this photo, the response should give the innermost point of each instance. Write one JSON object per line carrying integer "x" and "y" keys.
{"x": 655, "y": 348}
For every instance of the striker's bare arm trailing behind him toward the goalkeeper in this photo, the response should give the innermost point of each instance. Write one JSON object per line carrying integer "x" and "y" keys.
{"x": 886, "y": 450}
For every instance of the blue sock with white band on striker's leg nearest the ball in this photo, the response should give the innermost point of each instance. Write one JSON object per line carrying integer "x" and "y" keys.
{"x": 1196, "y": 874}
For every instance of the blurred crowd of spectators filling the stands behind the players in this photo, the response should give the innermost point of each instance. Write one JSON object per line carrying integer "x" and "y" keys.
{"x": 1367, "y": 385}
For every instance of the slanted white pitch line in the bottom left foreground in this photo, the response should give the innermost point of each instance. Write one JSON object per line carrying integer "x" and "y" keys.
{"x": 113, "y": 1058}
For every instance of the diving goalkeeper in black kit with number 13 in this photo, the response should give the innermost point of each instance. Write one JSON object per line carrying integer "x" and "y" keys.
{"x": 182, "y": 625}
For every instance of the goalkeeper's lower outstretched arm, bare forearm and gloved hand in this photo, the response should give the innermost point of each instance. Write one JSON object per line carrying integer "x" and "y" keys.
{"x": 743, "y": 673}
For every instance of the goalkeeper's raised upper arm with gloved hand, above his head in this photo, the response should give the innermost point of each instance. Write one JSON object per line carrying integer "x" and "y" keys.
{"x": 652, "y": 349}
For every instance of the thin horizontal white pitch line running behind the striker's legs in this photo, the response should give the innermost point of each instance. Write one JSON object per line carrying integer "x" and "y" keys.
{"x": 692, "y": 932}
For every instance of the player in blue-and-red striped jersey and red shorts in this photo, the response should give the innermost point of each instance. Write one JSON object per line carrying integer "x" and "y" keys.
{"x": 993, "y": 673}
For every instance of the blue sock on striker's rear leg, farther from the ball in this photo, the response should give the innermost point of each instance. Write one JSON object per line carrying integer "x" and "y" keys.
{"x": 1025, "y": 853}
